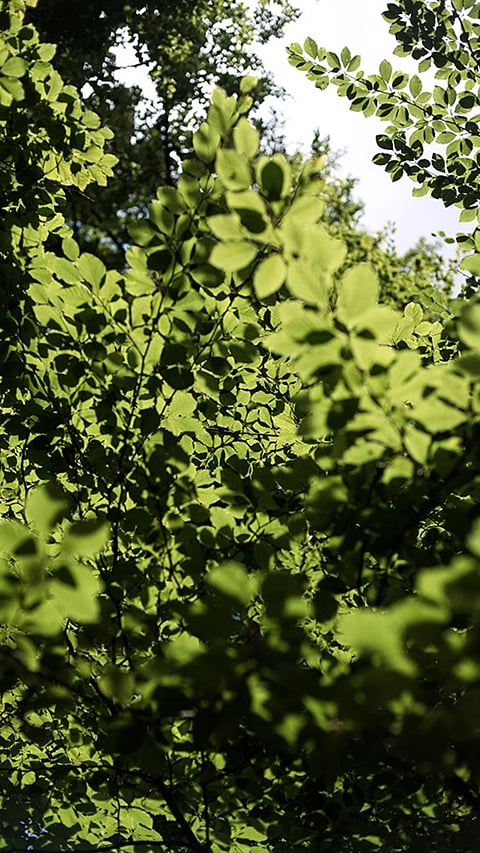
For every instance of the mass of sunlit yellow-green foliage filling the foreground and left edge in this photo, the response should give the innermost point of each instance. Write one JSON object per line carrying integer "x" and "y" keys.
{"x": 240, "y": 550}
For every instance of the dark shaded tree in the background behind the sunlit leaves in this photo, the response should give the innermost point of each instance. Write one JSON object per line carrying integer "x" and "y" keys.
{"x": 184, "y": 48}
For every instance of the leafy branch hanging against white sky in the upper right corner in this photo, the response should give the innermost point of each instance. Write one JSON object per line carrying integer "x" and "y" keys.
{"x": 432, "y": 134}
